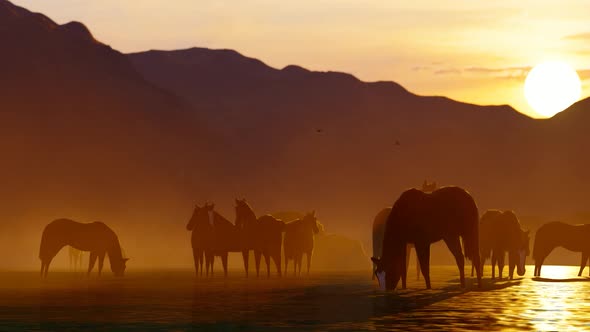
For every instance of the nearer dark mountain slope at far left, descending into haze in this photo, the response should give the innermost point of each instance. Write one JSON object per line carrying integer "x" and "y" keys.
{"x": 81, "y": 129}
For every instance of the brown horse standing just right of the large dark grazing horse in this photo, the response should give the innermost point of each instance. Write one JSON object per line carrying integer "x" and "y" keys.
{"x": 500, "y": 232}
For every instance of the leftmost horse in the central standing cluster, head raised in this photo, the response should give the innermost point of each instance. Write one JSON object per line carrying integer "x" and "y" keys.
{"x": 201, "y": 226}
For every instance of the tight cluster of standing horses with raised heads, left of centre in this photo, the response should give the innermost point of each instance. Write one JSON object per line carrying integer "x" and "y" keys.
{"x": 215, "y": 236}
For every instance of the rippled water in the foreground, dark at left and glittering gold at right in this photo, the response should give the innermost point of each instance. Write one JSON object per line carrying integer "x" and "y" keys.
{"x": 176, "y": 301}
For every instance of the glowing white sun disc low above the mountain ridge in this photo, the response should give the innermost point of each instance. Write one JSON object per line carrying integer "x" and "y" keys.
{"x": 551, "y": 87}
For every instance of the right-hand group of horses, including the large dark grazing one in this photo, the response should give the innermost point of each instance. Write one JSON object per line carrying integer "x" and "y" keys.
{"x": 418, "y": 219}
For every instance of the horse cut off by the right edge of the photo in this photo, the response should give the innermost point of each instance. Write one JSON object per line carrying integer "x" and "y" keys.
{"x": 557, "y": 234}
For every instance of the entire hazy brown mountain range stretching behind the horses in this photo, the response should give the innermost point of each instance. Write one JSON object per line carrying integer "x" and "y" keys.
{"x": 135, "y": 140}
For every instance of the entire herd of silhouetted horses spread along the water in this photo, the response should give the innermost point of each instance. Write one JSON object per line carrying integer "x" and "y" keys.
{"x": 417, "y": 219}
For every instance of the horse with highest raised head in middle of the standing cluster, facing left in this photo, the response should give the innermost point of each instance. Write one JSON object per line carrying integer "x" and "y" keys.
{"x": 263, "y": 234}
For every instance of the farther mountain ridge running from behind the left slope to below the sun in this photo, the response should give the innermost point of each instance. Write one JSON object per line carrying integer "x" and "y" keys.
{"x": 335, "y": 141}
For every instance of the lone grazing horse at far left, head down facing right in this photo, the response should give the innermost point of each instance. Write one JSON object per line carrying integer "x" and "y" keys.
{"x": 95, "y": 237}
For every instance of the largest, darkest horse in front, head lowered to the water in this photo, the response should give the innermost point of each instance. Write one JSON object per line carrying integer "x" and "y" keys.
{"x": 448, "y": 214}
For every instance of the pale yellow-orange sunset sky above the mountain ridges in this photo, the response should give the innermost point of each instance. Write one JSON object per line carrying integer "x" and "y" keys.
{"x": 472, "y": 51}
